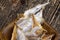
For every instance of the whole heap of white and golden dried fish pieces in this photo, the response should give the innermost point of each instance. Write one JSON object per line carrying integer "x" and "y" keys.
{"x": 31, "y": 25}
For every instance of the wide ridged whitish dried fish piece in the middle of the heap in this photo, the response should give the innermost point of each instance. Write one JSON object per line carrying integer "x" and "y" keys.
{"x": 25, "y": 24}
